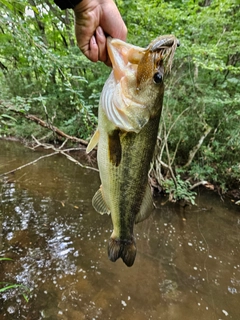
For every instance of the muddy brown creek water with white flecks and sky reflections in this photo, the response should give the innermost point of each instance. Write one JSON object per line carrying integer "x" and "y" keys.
{"x": 184, "y": 270}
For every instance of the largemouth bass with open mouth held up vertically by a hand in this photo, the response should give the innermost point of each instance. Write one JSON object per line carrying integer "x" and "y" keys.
{"x": 128, "y": 119}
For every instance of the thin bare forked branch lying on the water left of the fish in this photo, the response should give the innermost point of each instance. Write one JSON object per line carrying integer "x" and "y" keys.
{"x": 56, "y": 151}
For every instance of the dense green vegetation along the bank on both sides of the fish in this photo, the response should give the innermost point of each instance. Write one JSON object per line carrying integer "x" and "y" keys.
{"x": 43, "y": 73}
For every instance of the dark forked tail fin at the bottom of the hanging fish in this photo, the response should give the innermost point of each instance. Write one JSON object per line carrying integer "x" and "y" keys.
{"x": 125, "y": 249}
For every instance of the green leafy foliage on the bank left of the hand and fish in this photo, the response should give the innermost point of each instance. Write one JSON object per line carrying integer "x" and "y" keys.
{"x": 42, "y": 71}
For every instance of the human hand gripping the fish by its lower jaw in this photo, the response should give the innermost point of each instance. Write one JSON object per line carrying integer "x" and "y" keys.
{"x": 94, "y": 21}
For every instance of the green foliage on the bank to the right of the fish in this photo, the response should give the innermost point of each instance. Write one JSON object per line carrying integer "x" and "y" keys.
{"x": 202, "y": 100}
